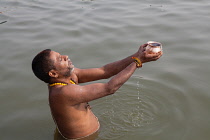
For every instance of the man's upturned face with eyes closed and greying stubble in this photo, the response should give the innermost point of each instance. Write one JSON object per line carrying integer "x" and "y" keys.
{"x": 62, "y": 64}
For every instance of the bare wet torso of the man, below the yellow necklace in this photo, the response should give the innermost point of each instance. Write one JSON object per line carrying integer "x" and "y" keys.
{"x": 73, "y": 121}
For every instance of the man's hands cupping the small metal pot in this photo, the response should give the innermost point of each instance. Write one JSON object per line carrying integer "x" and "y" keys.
{"x": 144, "y": 56}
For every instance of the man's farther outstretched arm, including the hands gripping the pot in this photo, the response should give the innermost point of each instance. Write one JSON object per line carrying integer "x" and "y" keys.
{"x": 111, "y": 69}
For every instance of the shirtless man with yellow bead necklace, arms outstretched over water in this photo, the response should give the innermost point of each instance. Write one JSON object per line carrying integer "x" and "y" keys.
{"x": 69, "y": 101}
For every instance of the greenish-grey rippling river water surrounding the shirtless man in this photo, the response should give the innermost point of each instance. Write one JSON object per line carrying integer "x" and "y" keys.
{"x": 165, "y": 100}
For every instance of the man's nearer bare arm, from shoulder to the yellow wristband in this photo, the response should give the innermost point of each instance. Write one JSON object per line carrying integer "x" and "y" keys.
{"x": 81, "y": 94}
